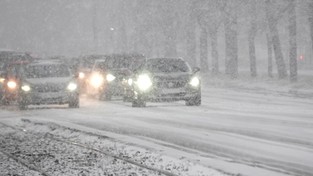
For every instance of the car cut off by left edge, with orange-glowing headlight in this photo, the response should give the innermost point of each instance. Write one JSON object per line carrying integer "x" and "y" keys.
{"x": 11, "y": 81}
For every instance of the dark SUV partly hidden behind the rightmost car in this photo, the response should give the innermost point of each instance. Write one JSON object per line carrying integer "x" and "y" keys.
{"x": 109, "y": 75}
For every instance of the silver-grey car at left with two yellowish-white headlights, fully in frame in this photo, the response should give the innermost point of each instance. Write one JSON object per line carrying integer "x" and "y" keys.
{"x": 48, "y": 82}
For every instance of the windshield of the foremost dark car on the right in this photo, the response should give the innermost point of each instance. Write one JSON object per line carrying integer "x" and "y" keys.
{"x": 167, "y": 65}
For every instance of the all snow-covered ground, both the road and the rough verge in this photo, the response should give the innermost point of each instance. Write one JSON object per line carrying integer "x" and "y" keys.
{"x": 249, "y": 129}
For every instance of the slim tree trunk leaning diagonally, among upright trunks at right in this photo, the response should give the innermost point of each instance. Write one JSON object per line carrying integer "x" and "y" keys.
{"x": 281, "y": 66}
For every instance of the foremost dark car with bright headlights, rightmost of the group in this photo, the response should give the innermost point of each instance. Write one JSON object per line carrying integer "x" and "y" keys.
{"x": 165, "y": 79}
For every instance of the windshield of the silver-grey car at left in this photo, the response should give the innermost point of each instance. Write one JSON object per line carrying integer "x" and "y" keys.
{"x": 46, "y": 71}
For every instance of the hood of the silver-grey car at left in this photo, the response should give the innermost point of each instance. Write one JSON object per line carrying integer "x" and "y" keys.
{"x": 40, "y": 81}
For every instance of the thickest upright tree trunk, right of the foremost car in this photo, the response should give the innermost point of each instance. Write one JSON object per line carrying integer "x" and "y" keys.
{"x": 231, "y": 44}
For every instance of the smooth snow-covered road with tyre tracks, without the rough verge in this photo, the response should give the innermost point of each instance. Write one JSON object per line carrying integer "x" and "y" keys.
{"x": 235, "y": 131}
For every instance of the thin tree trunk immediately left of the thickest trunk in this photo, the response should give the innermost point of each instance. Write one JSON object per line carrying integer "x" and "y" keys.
{"x": 214, "y": 52}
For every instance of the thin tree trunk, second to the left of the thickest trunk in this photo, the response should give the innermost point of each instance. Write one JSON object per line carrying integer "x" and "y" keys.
{"x": 204, "y": 50}
